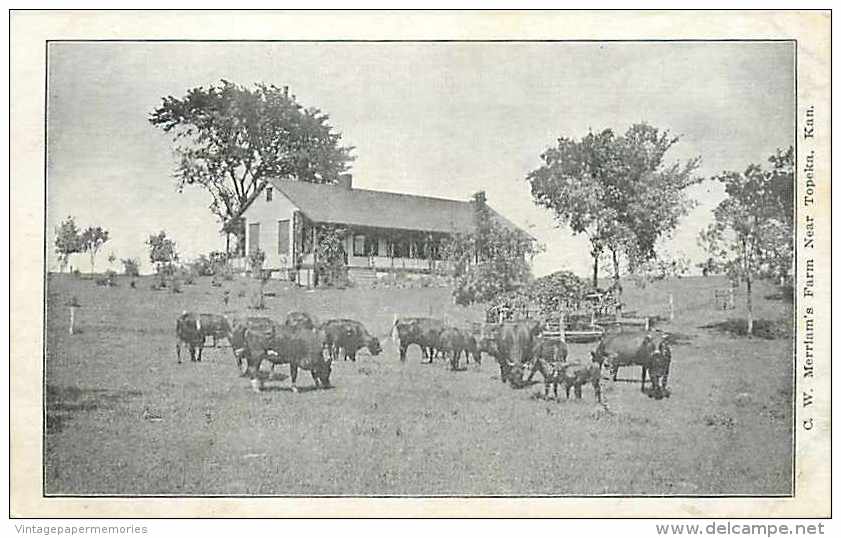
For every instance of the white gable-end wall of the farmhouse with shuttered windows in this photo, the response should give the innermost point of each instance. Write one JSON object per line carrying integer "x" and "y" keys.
{"x": 268, "y": 214}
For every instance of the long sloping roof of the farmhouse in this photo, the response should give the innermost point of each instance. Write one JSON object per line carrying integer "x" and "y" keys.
{"x": 334, "y": 204}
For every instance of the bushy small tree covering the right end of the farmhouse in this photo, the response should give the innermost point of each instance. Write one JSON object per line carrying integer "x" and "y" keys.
{"x": 489, "y": 261}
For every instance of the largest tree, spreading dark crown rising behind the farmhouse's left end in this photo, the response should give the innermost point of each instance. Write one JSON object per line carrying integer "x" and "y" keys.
{"x": 230, "y": 139}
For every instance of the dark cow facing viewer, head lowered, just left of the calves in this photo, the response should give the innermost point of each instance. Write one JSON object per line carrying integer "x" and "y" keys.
{"x": 511, "y": 343}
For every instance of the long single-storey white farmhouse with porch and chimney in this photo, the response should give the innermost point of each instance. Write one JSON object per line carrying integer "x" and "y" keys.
{"x": 381, "y": 231}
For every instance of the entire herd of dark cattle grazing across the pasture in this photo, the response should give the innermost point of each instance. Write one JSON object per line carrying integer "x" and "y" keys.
{"x": 518, "y": 347}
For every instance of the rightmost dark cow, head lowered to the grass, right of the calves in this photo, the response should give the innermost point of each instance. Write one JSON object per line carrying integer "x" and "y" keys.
{"x": 652, "y": 352}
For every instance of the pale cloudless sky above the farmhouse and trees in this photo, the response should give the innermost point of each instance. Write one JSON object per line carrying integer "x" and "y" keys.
{"x": 437, "y": 119}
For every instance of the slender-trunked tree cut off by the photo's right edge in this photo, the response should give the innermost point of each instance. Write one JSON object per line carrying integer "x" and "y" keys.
{"x": 752, "y": 233}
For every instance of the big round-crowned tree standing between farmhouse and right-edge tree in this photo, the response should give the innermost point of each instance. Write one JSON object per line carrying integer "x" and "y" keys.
{"x": 617, "y": 190}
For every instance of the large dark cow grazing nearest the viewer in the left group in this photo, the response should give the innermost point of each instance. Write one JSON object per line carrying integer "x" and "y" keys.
{"x": 299, "y": 348}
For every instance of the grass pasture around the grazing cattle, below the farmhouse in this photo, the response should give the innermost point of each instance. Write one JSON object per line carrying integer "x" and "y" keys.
{"x": 388, "y": 428}
